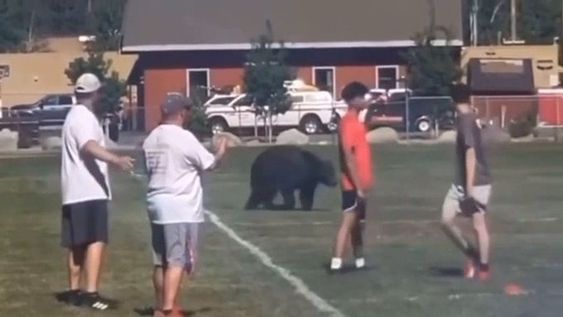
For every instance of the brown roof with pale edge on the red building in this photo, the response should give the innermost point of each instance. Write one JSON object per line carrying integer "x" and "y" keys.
{"x": 177, "y": 25}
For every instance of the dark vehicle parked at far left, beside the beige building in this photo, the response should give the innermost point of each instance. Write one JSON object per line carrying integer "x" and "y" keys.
{"x": 50, "y": 110}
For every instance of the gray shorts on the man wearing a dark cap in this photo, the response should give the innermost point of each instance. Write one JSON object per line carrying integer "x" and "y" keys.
{"x": 175, "y": 244}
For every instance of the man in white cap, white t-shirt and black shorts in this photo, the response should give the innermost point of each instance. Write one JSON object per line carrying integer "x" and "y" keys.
{"x": 85, "y": 195}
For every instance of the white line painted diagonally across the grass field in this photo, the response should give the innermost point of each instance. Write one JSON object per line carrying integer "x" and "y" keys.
{"x": 298, "y": 284}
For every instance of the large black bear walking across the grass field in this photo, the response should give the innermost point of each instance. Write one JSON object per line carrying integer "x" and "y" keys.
{"x": 287, "y": 169}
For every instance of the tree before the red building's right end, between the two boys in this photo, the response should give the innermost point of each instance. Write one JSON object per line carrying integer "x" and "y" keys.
{"x": 432, "y": 69}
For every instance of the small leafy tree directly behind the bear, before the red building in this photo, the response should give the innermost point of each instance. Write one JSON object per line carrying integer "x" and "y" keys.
{"x": 265, "y": 73}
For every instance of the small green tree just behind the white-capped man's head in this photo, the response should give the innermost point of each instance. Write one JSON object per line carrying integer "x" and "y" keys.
{"x": 113, "y": 87}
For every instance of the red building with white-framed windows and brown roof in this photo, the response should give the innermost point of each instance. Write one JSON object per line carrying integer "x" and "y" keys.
{"x": 187, "y": 43}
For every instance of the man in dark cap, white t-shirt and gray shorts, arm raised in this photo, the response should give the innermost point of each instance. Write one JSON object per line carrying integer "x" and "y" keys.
{"x": 174, "y": 161}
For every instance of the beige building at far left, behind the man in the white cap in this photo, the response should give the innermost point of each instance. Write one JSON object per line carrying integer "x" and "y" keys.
{"x": 34, "y": 75}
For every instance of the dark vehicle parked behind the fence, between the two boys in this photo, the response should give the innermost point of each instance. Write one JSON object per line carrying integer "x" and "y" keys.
{"x": 424, "y": 113}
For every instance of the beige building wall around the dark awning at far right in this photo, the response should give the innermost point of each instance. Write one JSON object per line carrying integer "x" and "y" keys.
{"x": 545, "y": 60}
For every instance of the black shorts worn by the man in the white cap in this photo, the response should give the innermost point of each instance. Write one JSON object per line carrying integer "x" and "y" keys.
{"x": 84, "y": 223}
